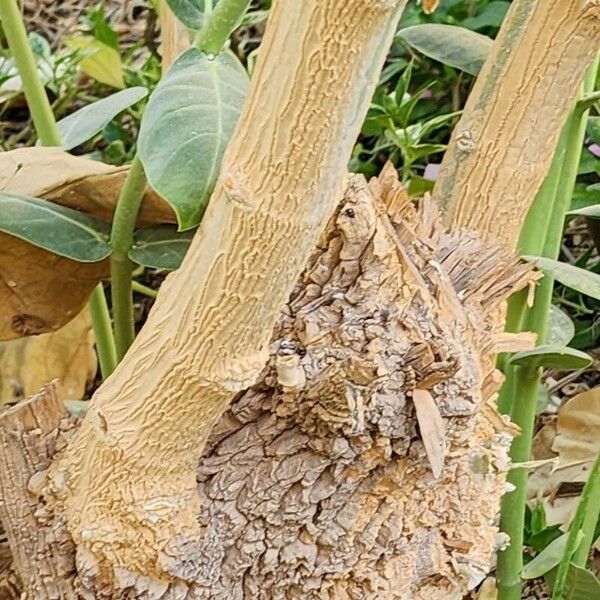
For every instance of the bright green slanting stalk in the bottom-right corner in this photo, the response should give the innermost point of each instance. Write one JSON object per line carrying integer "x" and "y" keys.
{"x": 584, "y": 524}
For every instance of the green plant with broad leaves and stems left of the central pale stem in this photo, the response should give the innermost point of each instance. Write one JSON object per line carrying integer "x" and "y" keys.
{"x": 184, "y": 131}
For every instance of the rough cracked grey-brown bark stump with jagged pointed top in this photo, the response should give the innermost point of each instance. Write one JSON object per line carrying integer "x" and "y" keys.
{"x": 315, "y": 483}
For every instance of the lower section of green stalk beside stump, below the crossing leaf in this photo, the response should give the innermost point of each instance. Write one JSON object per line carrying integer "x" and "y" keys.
{"x": 510, "y": 560}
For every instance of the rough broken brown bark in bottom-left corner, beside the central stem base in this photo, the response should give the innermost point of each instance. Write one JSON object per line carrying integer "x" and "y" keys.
{"x": 42, "y": 551}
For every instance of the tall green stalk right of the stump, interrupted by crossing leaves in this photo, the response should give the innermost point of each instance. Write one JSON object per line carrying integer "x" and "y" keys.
{"x": 542, "y": 236}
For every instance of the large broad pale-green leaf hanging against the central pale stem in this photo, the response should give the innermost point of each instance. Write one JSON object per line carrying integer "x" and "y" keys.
{"x": 186, "y": 127}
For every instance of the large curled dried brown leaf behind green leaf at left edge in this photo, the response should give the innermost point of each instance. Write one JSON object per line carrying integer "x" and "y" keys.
{"x": 39, "y": 291}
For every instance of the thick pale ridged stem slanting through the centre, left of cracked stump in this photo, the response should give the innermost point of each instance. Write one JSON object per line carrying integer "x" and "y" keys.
{"x": 132, "y": 468}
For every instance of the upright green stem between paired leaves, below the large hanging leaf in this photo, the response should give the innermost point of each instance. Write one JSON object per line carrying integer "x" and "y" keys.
{"x": 121, "y": 268}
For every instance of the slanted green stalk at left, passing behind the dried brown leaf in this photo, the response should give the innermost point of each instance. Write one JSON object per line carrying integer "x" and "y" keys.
{"x": 47, "y": 130}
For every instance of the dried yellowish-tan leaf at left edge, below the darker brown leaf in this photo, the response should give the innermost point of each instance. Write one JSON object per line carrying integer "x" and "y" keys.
{"x": 66, "y": 355}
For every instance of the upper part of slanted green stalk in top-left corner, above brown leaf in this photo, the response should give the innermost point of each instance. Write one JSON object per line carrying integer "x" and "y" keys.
{"x": 37, "y": 100}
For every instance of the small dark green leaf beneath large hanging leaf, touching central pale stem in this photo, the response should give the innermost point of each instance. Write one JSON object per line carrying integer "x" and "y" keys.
{"x": 161, "y": 247}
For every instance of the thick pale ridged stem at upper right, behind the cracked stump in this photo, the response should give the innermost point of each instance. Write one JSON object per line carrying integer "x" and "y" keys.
{"x": 504, "y": 143}
